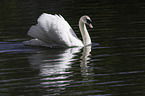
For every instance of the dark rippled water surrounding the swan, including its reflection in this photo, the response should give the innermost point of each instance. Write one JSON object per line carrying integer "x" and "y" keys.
{"x": 113, "y": 66}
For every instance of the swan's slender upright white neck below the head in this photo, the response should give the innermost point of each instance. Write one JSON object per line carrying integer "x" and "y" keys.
{"x": 85, "y": 34}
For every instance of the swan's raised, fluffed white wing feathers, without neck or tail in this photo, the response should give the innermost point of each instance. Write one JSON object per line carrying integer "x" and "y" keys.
{"x": 55, "y": 31}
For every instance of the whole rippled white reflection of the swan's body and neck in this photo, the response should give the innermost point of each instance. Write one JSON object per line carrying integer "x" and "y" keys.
{"x": 54, "y": 64}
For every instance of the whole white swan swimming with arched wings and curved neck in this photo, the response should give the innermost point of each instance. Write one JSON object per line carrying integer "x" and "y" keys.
{"x": 54, "y": 31}
